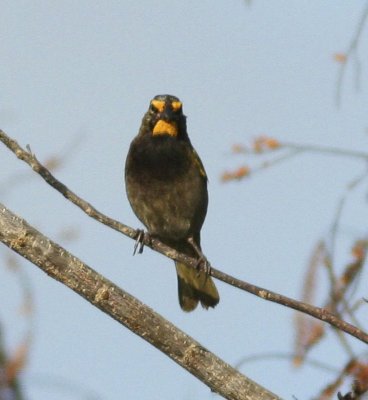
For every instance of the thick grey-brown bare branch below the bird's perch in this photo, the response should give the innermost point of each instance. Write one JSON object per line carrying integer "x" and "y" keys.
{"x": 126, "y": 309}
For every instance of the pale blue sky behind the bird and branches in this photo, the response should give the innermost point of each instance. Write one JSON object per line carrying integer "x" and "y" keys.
{"x": 76, "y": 79}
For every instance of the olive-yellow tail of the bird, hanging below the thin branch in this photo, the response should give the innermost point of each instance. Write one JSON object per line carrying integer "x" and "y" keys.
{"x": 195, "y": 286}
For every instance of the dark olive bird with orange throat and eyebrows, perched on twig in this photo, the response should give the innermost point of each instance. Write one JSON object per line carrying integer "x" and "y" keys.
{"x": 166, "y": 186}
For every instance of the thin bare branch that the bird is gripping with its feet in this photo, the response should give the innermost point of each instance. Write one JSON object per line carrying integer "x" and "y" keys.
{"x": 317, "y": 312}
